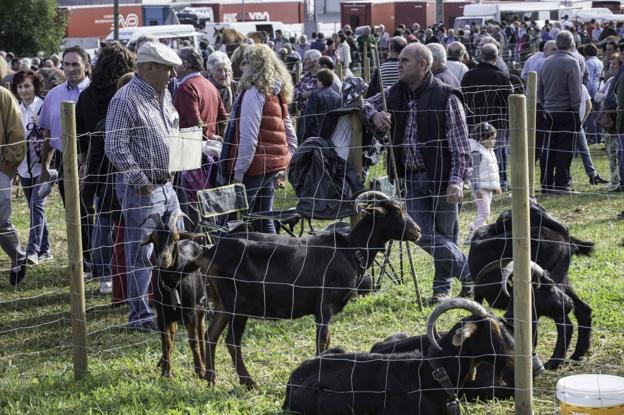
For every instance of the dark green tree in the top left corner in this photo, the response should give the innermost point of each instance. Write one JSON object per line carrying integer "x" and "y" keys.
{"x": 31, "y": 26}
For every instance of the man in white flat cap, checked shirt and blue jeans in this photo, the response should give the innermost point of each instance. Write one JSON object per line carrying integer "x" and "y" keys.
{"x": 140, "y": 118}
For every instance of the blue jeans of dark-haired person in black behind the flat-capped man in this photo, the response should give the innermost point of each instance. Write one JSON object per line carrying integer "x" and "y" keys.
{"x": 102, "y": 242}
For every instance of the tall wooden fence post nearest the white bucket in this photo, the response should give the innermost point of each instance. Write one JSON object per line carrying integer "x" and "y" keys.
{"x": 521, "y": 232}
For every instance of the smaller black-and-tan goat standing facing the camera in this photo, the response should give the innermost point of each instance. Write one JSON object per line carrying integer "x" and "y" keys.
{"x": 180, "y": 292}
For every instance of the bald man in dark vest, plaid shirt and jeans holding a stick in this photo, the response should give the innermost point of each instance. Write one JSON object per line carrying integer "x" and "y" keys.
{"x": 427, "y": 124}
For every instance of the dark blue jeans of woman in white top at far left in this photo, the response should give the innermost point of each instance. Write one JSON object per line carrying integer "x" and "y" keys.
{"x": 38, "y": 242}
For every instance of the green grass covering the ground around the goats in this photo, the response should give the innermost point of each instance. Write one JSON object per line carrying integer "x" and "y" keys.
{"x": 36, "y": 374}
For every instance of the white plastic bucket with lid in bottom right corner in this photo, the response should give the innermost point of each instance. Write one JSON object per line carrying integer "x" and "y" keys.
{"x": 591, "y": 395}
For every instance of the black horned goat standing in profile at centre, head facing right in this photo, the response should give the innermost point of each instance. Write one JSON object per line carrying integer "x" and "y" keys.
{"x": 279, "y": 277}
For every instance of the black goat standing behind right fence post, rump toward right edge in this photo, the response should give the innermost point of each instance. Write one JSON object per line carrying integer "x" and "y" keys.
{"x": 552, "y": 248}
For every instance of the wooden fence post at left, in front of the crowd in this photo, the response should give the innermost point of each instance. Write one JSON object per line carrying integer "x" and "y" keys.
{"x": 74, "y": 240}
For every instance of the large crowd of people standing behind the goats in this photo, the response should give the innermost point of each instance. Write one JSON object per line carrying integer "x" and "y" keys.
{"x": 439, "y": 94}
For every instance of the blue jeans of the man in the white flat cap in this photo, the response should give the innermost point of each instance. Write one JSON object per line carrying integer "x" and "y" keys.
{"x": 136, "y": 208}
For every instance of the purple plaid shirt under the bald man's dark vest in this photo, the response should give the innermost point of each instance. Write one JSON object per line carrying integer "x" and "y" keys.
{"x": 456, "y": 133}
